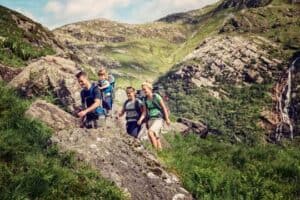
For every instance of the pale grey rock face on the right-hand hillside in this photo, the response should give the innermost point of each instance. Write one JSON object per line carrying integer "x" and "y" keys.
{"x": 233, "y": 60}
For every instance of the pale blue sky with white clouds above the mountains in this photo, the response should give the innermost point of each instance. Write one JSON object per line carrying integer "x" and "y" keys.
{"x": 55, "y": 13}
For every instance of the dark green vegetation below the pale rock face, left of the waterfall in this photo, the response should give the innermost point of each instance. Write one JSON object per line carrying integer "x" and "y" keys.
{"x": 236, "y": 114}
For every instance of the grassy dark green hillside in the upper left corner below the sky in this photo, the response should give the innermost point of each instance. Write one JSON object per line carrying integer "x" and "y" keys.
{"x": 18, "y": 45}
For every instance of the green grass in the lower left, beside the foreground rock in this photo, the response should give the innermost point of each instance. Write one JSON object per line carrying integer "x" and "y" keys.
{"x": 32, "y": 169}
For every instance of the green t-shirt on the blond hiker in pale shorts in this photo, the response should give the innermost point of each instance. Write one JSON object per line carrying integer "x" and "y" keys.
{"x": 153, "y": 106}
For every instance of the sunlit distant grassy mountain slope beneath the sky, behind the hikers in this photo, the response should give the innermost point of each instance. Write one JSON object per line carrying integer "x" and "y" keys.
{"x": 135, "y": 52}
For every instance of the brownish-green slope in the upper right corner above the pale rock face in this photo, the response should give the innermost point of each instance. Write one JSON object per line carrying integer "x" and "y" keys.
{"x": 279, "y": 23}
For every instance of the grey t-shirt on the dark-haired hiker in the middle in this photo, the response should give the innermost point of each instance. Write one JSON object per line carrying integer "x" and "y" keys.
{"x": 132, "y": 114}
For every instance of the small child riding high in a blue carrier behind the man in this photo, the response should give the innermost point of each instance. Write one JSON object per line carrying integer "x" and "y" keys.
{"x": 106, "y": 90}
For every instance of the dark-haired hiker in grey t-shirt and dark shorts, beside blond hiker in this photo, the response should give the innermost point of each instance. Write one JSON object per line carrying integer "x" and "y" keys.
{"x": 135, "y": 112}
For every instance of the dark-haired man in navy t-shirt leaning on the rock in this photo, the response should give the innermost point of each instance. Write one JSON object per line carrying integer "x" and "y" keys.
{"x": 91, "y": 102}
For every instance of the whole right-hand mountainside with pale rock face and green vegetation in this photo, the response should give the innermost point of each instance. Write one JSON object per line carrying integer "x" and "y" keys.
{"x": 235, "y": 72}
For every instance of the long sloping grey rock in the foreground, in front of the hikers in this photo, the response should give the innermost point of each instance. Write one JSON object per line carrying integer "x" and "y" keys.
{"x": 118, "y": 157}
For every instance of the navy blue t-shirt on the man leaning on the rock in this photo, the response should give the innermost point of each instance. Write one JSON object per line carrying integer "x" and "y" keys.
{"x": 88, "y": 96}
